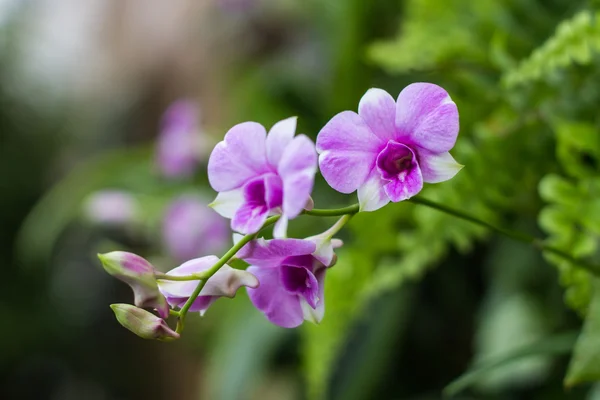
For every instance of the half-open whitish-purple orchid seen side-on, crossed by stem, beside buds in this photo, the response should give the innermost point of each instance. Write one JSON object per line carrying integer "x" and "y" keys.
{"x": 225, "y": 282}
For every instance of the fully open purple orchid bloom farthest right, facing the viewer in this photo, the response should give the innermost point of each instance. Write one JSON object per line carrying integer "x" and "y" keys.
{"x": 389, "y": 149}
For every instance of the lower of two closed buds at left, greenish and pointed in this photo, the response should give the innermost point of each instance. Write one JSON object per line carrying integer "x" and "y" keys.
{"x": 143, "y": 323}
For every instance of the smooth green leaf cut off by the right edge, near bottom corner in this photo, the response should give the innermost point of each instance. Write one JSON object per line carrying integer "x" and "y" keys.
{"x": 585, "y": 363}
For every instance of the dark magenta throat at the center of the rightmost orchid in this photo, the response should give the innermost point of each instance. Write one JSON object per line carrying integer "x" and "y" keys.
{"x": 396, "y": 161}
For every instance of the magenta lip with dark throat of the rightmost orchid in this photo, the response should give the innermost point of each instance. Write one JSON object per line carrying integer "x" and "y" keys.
{"x": 398, "y": 164}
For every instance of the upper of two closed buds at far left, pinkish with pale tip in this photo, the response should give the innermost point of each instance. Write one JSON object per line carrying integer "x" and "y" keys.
{"x": 139, "y": 275}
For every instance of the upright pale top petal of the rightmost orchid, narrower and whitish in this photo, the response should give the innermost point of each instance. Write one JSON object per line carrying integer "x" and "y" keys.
{"x": 378, "y": 109}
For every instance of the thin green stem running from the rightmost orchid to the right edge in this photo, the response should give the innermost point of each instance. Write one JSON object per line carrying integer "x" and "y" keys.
{"x": 516, "y": 235}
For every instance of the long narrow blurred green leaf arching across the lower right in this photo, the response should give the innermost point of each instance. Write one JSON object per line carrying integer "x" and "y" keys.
{"x": 553, "y": 345}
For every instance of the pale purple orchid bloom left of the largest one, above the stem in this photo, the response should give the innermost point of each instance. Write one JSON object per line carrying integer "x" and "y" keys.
{"x": 258, "y": 174}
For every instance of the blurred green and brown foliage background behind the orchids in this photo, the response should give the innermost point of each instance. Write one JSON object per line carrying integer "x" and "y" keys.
{"x": 417, "y": 299}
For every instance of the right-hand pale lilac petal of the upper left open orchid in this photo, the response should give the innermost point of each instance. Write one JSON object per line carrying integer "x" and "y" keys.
{"x": 297, "y": 169}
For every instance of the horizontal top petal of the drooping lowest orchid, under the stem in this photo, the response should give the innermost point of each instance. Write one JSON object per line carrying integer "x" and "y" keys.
{"x": 270, "y": 253}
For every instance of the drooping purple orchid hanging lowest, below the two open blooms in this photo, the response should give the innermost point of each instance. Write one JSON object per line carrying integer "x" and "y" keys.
{"x": 291, "y": 273}
